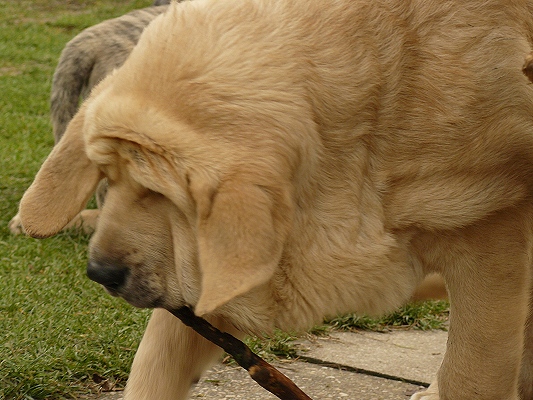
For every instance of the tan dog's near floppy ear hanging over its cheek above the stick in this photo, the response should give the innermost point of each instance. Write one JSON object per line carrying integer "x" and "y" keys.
{"x": 241, "y": 233}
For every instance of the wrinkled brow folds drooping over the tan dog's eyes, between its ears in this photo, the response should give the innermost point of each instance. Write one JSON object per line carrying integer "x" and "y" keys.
{"x": 123, "y": 140}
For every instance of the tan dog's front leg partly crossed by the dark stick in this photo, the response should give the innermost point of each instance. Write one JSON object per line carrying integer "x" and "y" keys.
{"x": 170, "y": 359}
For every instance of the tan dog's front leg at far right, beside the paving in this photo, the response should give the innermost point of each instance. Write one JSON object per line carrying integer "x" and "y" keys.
{"x": 488, "y": 280}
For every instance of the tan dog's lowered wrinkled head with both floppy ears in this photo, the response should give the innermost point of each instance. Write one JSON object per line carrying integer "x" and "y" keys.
{"x": 187, "y": 218}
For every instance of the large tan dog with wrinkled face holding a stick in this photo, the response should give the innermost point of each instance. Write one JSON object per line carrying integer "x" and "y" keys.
{"x": 304, "y": 159}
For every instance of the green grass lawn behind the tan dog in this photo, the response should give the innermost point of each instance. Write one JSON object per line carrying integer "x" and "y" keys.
{"x": 60, "y": 334}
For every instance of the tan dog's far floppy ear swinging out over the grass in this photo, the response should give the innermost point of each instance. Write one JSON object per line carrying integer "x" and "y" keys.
{"x": 63, "y": 185}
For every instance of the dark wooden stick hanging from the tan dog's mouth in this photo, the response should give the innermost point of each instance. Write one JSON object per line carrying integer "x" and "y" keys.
{"x": 262, "y": 372}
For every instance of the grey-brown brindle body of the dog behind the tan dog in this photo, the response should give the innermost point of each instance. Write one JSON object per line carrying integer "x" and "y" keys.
{"x": 89, "y": 57}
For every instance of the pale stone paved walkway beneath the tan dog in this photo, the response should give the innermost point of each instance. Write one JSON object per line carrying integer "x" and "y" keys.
{"x": 344, "y": 365}
